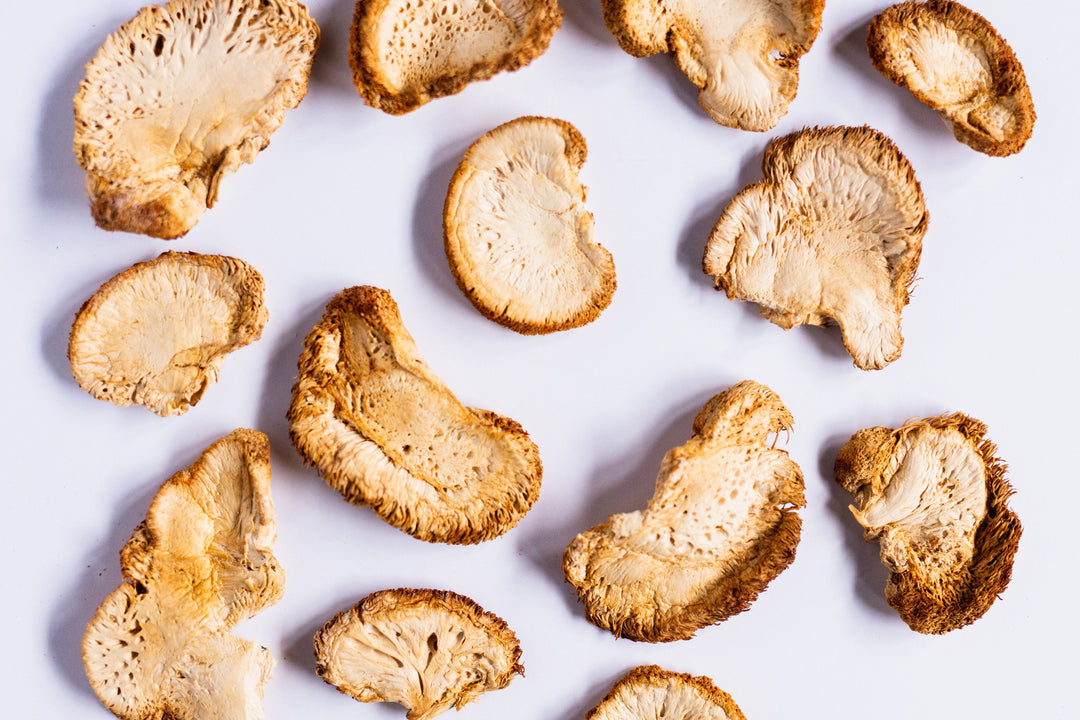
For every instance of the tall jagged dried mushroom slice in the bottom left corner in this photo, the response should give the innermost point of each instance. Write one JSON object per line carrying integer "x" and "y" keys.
{"x": 159, "y": 647}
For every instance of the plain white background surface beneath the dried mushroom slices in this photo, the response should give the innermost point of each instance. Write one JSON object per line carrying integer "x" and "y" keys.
{"x": 349, "y": 196}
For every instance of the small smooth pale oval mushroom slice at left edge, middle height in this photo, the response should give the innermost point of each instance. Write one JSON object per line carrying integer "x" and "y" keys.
{"x": 157, "y": 334}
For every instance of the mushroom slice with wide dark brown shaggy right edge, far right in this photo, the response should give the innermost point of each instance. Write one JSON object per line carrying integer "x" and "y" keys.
{"x": 934, "y": 495}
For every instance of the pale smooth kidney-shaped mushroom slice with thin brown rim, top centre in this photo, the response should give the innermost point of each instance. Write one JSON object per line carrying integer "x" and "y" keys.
{"x": 519, "y": 239}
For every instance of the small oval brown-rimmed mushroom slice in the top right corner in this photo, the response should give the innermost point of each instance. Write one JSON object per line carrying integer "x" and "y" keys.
{"x": 954, "y": 61}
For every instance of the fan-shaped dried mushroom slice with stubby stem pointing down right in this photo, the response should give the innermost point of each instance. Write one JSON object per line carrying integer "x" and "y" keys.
{"x": 833, "y": 234}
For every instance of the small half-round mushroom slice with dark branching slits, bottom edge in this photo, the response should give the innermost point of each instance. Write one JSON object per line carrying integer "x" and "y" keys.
{"x": 426, "y": 650}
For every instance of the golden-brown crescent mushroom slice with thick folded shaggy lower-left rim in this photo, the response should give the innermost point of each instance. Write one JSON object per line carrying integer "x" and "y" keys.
{"x": 385, "y": 432}
